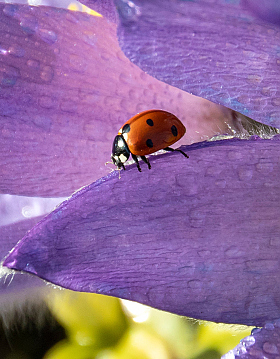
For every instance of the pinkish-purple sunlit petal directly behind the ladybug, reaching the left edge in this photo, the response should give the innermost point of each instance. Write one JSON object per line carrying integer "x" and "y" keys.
{"x": 65, "y": 90}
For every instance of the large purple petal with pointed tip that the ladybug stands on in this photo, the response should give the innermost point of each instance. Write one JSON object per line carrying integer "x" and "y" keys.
{"x": 198, "y": 236}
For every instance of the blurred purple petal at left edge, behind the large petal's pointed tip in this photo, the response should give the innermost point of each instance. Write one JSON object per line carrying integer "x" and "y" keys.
{"x": 9, "y": 236}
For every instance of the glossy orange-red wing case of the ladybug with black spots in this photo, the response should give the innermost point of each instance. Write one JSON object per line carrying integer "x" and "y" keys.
{"x": 151, "y": 131}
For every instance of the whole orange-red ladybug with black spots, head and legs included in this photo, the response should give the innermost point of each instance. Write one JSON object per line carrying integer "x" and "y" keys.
{"x": 146, "y": 133}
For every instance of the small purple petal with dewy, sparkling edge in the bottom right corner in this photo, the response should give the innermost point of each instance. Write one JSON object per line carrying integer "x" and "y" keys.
{"x": 263, "y": 343}
